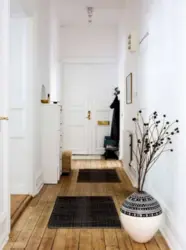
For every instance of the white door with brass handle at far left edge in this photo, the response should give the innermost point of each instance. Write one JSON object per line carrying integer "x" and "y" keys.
{"x": 4, "y": 66}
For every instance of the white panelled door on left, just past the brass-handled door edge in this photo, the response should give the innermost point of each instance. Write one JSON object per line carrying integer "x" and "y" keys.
{"x": 20, "y": 105}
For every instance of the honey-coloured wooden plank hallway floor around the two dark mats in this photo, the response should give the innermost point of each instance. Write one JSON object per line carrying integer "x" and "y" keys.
{"x": 31, "y": 232}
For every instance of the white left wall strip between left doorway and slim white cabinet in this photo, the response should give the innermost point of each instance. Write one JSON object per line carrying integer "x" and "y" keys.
{"x": 41, "y": 76}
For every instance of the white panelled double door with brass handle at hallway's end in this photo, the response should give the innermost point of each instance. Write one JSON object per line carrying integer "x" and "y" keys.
{"x": 87, "y": 89}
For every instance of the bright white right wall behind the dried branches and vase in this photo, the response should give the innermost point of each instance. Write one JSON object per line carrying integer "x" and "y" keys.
{"x": 161, "y": 86}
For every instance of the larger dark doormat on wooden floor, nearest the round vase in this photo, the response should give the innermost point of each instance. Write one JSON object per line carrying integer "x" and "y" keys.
{"x": 84, "y": 212}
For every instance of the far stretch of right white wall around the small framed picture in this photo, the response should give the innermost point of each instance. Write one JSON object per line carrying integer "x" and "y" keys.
{"x": 127, "y": 64}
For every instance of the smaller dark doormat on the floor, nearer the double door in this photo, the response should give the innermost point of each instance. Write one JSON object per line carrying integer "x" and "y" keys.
{"x": 98, "y": 176}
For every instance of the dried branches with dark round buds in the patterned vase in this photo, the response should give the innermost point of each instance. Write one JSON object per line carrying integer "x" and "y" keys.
{"x": 153, "y": 138}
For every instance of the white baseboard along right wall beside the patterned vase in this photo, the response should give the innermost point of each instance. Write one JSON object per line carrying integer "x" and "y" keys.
{"x": 168, "y": 228}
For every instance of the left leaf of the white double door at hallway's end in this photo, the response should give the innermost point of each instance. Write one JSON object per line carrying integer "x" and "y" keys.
{"x": 75, "y": 108}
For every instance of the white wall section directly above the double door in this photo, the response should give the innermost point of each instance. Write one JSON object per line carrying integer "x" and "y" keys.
{"x": 89, "y": 41}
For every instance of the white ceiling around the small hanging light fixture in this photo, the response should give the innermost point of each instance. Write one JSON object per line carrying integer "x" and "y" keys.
{"x": 73, "y": 12}
